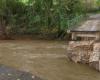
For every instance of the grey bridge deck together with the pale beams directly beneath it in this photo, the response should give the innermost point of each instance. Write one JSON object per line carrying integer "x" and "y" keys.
{"x": 89, "y": 31}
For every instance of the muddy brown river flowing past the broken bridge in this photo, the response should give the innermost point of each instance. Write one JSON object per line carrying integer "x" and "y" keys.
{"x": 46, "y": 59}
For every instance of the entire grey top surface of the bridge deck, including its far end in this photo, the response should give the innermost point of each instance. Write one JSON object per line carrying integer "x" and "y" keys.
{"x": 92, "y": 24}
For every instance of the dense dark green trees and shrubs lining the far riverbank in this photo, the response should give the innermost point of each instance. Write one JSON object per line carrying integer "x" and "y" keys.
{"x": 44, "y": 17}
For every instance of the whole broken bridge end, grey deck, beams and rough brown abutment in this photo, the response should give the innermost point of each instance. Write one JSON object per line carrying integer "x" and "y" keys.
{"x": 85, "y": 44}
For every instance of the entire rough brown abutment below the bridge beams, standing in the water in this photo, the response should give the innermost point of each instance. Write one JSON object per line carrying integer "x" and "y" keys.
{"x": 85, "y": 52}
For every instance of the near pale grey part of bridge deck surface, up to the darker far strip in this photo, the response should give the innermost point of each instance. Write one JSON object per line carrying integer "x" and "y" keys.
{"x": 90, "y": 25}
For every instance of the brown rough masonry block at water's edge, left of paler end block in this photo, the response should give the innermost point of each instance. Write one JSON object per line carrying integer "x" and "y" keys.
{"x": 80, "y": 51}
